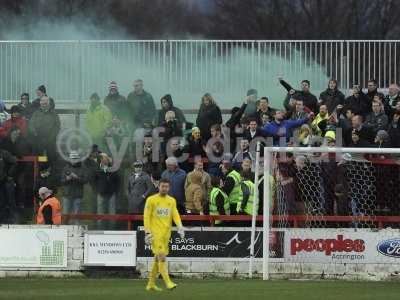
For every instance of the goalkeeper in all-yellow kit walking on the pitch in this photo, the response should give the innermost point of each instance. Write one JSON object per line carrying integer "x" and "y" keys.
{"x": 159, "y": 212}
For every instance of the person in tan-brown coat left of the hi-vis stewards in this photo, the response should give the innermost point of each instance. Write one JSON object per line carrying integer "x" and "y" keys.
{"x": 195, "y": 198}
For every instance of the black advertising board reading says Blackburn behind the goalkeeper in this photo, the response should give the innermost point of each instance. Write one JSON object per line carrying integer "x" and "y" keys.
{"x": 217, "y": 244}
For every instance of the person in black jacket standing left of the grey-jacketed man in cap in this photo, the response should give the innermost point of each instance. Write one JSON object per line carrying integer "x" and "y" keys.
{"x": 107, "y": 183}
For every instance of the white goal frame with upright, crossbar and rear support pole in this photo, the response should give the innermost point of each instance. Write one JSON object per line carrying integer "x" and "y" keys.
{"x": 269, "y": 158}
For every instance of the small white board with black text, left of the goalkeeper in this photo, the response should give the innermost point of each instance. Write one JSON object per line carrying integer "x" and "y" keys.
{"x": 110, "y": 248}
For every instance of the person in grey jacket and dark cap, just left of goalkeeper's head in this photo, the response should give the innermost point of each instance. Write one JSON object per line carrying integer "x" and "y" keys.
{"x": 139, "y": 188}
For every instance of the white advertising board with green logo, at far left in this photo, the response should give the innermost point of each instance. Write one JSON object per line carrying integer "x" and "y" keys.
{"x": 33, "y": 248}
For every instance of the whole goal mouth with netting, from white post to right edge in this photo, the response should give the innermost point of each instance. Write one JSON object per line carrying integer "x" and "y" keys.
{"x": 333, "y": 205}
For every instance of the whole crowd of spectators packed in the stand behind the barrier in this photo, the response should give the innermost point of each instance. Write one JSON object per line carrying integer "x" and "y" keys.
{"x": 209, "y": 163}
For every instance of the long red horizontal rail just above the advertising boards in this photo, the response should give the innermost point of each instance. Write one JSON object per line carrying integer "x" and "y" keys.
{"x": 295, "y": 219}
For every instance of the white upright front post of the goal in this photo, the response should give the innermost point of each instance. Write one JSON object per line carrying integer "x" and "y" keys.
{"x": 266, "y": 217}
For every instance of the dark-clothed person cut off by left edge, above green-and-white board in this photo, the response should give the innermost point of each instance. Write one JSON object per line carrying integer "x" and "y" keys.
{"x": 8, "y": 164}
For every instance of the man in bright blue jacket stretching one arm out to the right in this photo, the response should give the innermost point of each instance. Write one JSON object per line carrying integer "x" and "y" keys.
{"x": 280, "y": 128}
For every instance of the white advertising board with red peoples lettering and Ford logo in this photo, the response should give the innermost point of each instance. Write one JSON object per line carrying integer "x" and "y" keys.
{"x": 342, "y": 246}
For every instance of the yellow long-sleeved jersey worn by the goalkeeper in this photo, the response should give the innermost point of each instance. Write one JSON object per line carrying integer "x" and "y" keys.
{"x": 158, "y": 215}
